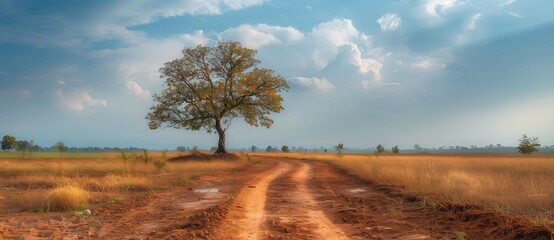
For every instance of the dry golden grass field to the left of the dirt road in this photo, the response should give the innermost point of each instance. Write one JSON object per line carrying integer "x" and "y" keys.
{"x": 47, "y": 183}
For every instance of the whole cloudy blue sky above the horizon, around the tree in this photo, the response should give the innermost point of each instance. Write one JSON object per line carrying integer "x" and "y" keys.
{"x": 427, "y": 72}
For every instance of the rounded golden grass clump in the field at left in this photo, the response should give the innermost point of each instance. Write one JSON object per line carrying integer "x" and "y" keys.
{"x": 67, "y": 198}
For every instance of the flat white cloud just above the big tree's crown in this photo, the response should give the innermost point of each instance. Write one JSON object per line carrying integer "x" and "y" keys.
{"x": 260, "y": 35}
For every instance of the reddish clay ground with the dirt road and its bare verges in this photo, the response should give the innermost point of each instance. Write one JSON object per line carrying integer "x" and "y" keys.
{"x": 277, "y": 199}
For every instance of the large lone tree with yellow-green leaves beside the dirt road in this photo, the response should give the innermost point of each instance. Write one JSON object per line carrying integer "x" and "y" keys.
{"x": 210, "y": 86}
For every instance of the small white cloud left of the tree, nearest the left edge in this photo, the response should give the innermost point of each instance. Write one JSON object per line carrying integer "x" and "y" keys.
{"x": 77, "y": 100}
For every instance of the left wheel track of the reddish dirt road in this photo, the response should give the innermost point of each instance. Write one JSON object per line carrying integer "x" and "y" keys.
{"x": 248, "y": 211}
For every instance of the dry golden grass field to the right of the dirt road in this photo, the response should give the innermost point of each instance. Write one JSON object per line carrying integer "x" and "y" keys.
{"x": 512, "y": 183}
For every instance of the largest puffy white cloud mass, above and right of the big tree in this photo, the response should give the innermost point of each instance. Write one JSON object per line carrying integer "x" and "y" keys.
{"x": 326, "y": 51}
